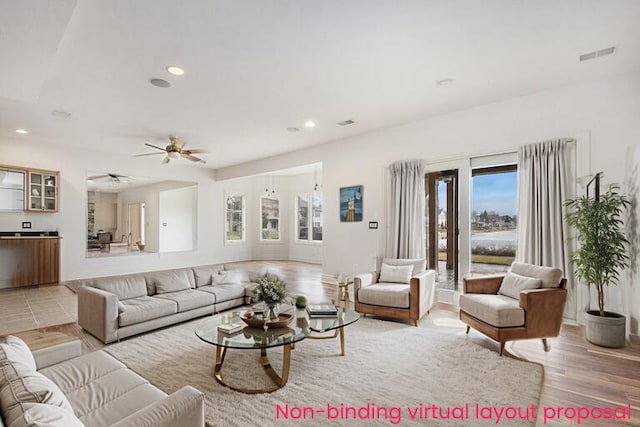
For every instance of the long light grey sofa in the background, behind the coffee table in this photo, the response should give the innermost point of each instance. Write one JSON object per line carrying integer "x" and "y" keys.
{"x": 116, "y": 307}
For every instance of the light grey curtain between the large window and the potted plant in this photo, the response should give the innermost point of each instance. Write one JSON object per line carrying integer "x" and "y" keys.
{"x": 542, "y": 190}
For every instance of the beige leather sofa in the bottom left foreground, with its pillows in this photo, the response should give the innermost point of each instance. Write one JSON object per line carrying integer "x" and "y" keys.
{"x": 56, "y": 386}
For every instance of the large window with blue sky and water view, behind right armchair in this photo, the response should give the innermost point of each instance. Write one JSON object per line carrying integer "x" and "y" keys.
{"x": 494, "y": 217}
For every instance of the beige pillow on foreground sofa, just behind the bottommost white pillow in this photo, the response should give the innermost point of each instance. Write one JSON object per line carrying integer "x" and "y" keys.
{"x": 30, "y": 388}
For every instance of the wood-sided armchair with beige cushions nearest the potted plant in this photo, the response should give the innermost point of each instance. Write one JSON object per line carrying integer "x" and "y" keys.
{"x": 493, "y": 310}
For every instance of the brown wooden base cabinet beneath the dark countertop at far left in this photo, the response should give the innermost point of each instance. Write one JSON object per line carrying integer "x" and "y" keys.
{"x": 28, "y": 261}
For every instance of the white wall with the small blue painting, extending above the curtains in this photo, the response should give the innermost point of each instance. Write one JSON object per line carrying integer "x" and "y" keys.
{"x": 602, "y": 115}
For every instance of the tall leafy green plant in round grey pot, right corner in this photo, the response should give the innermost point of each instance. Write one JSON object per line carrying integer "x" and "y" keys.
{"x": 601, "y": 257}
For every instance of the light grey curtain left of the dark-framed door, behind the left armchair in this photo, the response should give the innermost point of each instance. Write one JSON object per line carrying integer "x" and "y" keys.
{"x": 406, "y": 238}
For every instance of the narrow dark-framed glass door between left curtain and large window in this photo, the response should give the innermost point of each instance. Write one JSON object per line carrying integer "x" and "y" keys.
{"x": 441, "y": 190}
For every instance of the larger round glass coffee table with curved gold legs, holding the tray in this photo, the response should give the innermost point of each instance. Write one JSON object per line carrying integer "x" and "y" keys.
{"x": 253, "y": 339}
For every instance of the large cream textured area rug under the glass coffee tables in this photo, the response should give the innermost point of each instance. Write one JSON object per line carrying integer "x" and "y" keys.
{"x": 392, "y": 374}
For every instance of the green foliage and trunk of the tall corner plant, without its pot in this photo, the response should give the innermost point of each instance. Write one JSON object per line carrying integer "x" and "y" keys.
{"x": 602, "y": 245}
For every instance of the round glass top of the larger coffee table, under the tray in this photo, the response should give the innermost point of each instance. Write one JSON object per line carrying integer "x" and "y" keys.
{"x": 248, "y": 337}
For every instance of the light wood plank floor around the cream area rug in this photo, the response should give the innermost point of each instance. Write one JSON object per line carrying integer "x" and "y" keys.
{"x": 577, "y": 373}
